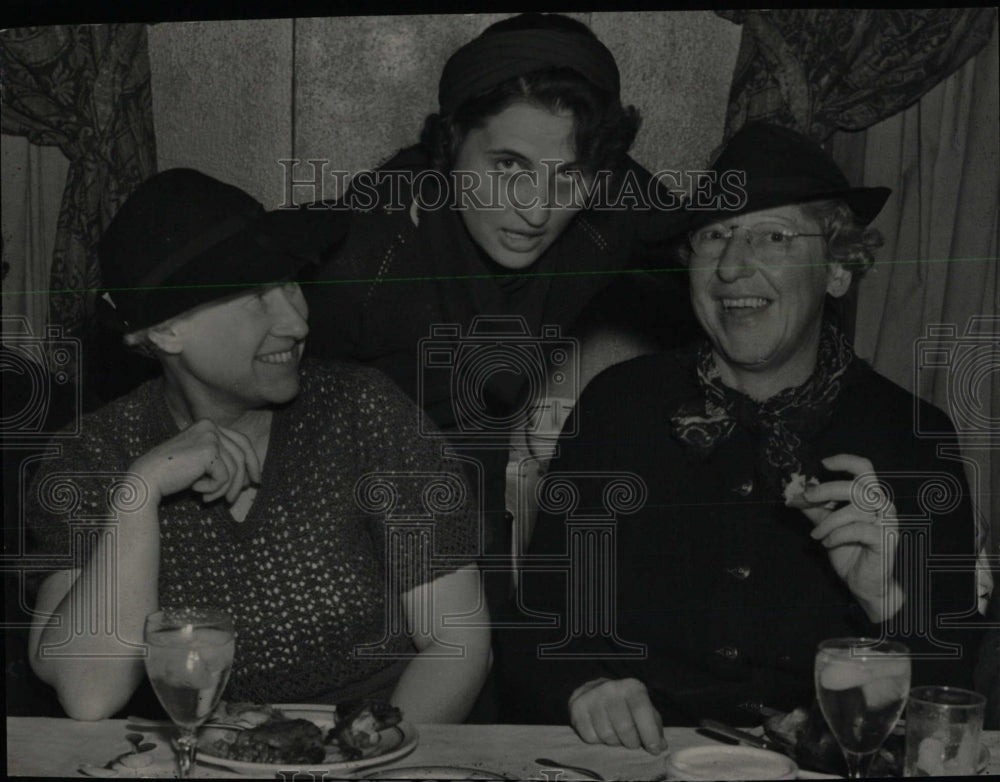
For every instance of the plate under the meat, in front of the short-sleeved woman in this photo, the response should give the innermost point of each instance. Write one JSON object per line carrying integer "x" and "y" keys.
{"x": 394, "y": 743}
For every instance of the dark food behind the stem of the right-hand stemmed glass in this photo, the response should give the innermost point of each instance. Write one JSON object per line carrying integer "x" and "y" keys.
{"x": 805, "y": 736}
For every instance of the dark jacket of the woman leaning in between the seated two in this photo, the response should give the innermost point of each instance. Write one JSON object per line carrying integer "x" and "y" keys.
{"x": 392, "y": 282}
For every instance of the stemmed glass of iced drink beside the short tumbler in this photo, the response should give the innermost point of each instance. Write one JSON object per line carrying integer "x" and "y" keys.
{"x": 862, "y": 685}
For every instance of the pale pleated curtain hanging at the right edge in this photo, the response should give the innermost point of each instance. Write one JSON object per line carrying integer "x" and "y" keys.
{"x": 940, "y": 156}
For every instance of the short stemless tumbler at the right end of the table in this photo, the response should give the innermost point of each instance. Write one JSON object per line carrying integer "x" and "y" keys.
{"x": 943, "y": 725}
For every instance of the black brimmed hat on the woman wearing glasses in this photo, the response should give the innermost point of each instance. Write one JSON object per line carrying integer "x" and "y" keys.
{"x": 780, "y": 167}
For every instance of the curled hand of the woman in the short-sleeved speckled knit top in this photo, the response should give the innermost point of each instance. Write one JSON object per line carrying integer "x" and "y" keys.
{"x": 208, "y": 458}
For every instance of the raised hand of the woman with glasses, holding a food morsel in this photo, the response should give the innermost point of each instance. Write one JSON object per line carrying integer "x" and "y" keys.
{"x": 855, "y": 533}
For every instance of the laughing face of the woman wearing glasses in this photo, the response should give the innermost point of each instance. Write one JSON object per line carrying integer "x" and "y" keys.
{"x": 762, "y": 310}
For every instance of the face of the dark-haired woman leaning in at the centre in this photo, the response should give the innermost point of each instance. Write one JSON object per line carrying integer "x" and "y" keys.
{"x": 524, "y": 191}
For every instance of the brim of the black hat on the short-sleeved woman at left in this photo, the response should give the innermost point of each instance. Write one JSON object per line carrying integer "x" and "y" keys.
{"x": 273, "y": 248}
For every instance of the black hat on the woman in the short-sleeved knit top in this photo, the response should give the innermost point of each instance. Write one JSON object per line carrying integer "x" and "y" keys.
{"x": 184, "y": 239}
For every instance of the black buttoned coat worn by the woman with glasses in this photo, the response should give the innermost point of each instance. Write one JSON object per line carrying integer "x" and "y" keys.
{"x": 715, "y": 576}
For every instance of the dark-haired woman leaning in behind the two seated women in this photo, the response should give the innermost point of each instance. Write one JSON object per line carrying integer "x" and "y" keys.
{"x": 488, "y": 218}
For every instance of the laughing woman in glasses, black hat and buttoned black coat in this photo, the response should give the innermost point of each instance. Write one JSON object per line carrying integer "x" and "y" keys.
{"x": 777, "y": 472}
